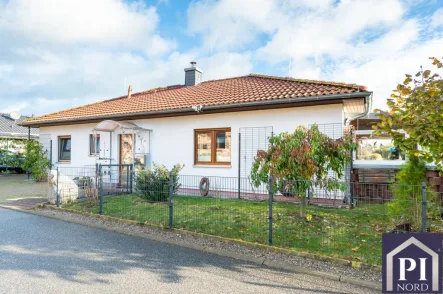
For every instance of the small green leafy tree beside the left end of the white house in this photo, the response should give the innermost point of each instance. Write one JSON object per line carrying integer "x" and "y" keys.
{"x": 36, "y": 160}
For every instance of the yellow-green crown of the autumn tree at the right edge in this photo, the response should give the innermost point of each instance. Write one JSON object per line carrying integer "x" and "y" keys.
{"x": 416, "y": 108}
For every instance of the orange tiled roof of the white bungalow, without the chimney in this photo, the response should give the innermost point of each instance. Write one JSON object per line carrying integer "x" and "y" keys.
{"x": 243, "y": 89}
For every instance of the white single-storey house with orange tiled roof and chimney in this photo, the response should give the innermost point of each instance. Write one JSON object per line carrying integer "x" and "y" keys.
{"x": 197, "y": 124}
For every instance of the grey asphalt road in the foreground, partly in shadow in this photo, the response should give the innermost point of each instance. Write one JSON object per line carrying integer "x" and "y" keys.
{"x": 42, "y": 255}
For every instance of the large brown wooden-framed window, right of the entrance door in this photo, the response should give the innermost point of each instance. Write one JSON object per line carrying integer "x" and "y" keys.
{"x": 212, "y": 146}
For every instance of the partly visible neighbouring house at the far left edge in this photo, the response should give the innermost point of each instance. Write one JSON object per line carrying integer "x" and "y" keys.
{"x": 11, "y": 131}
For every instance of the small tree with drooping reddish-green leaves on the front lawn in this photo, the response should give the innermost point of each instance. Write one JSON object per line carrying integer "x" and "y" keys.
{"x": 299, "y": 160}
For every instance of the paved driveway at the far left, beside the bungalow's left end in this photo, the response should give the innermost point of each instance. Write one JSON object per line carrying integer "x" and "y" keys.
{"x": 16, "y": 186}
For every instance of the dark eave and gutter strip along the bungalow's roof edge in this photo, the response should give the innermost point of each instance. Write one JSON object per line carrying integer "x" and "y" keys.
{"x": 236, "y": 107}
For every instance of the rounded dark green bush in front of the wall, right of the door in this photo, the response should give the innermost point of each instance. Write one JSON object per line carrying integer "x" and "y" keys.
{"x": 153, "y": 184}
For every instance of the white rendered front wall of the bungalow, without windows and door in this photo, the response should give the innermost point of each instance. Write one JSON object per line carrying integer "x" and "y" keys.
{"x": 172, "y": 138}
